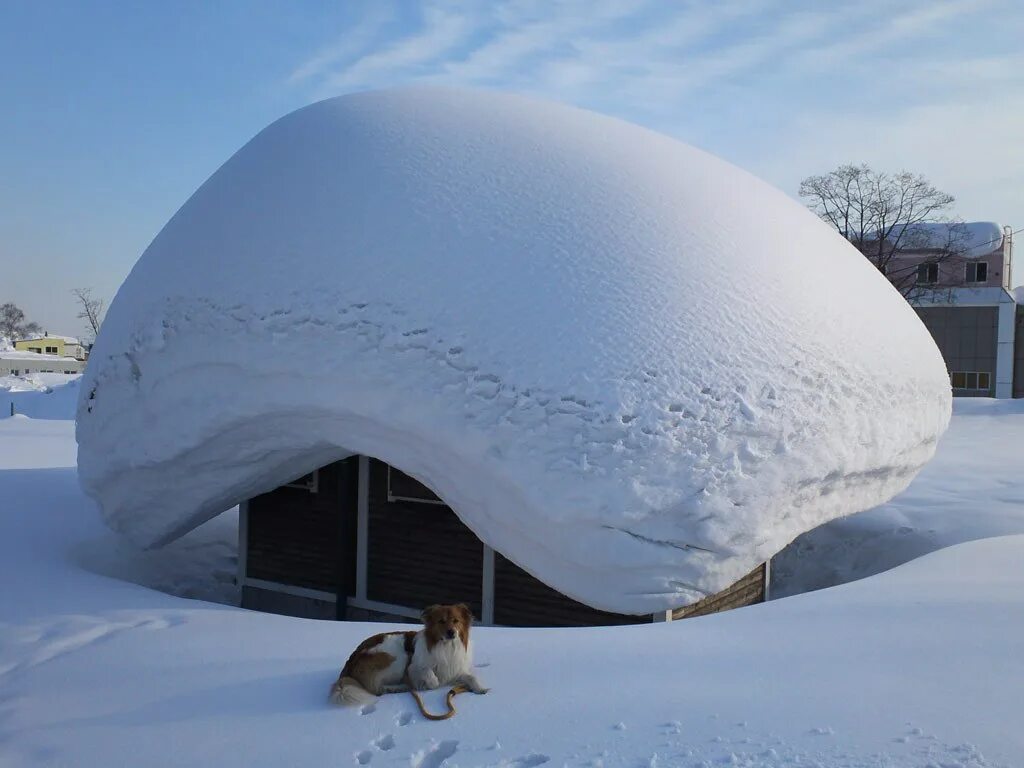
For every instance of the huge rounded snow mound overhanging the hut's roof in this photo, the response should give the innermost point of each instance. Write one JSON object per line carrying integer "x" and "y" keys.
{"x": 633, "y": 369}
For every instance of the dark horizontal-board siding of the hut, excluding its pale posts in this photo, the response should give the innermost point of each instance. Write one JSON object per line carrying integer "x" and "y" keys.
{"x": 419, "y": 553}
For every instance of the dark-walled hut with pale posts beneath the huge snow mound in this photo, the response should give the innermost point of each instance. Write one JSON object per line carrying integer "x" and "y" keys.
{"x": 354, "y": 540}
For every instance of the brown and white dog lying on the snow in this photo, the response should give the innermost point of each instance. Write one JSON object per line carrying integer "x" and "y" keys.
{"x": 391, "y": 663}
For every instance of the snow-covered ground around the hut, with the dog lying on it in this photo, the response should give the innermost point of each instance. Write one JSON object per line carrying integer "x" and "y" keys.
{"x": 921, "y": 666}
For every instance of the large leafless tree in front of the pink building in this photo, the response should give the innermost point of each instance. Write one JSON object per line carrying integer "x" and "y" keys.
{"x": 885, "y": 217}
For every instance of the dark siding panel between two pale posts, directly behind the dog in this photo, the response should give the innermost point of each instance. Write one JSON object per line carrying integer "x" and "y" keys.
{"x": 420, "y": 554}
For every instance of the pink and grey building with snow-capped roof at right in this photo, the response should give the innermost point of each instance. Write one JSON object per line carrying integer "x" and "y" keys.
{"x": 969, "y": 306}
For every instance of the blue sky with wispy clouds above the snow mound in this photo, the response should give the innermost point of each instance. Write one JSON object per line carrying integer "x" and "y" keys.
{"x": 114, "y": 113}
